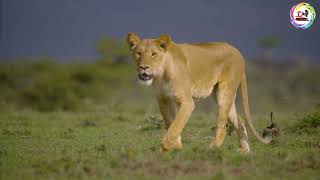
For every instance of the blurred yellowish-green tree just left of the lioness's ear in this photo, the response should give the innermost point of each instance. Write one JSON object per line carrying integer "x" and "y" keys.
{"x": 112, "y": 50}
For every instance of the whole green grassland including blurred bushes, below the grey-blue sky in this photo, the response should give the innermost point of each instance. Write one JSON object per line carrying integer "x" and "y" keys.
{"x": 117, "y": 135}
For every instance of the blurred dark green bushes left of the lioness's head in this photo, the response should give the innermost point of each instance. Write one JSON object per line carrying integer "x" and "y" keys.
{"x": 47, "y": 86}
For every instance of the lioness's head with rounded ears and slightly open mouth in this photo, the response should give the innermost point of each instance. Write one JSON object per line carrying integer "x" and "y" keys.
{"x": 149, "y": 56}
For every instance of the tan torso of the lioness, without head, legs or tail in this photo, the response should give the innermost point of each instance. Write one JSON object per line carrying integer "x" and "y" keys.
{"x": 206, "y": 64}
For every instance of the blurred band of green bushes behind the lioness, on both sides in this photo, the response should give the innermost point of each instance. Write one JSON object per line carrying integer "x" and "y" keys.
{"x": 49, "y": 85}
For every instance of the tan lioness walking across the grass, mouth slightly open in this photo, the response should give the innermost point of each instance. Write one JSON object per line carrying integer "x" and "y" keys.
{"x": 181, "y": 72}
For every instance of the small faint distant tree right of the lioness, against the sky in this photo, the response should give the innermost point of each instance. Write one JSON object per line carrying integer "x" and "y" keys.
{"x": 268, "y": 43}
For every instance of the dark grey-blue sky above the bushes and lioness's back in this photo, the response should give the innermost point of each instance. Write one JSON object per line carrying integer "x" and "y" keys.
{"x": 69, "y": 29}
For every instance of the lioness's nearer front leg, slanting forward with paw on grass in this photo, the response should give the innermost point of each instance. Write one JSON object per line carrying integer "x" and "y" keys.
{"x": 172, "y": 138}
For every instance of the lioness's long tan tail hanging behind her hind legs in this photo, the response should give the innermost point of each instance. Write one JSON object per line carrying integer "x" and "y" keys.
{"x": 245, "y": 102}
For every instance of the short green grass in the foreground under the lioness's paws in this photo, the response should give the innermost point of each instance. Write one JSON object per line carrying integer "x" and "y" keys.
{"x": 111, "y": 143}
